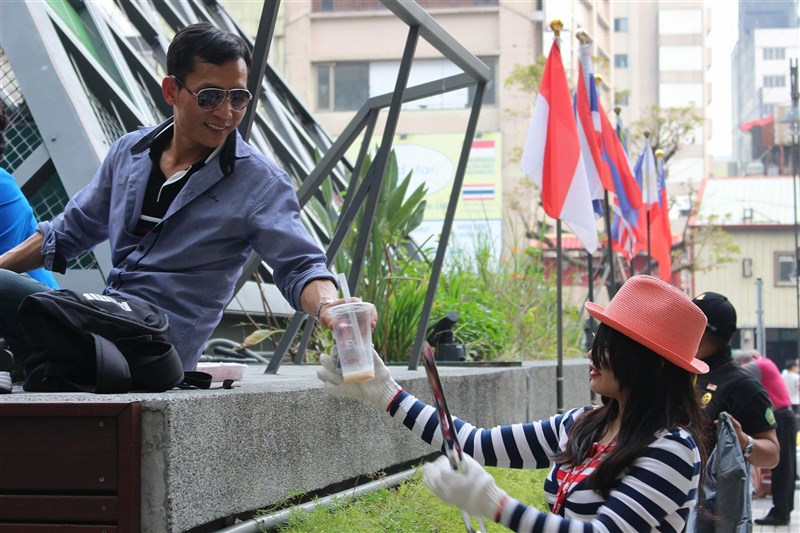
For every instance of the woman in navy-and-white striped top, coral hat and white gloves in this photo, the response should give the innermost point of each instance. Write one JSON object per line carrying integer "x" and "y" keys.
{"x": 631, "y": 464}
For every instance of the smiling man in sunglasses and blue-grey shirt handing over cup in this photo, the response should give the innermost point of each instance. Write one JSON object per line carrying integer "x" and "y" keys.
{"x": 183, "y": 205}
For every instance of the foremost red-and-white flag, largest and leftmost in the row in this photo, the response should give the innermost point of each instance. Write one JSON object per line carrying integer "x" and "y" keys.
{"x": 552, "y": 155}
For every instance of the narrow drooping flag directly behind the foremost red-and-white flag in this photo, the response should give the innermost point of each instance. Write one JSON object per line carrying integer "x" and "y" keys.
{"x": 587, "y": 116}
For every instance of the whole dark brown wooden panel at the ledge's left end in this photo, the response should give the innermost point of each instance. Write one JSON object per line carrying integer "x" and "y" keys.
{"x": 70, "y": 467}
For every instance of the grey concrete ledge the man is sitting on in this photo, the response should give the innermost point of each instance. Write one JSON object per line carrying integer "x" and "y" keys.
{"x": 207, "y": 455}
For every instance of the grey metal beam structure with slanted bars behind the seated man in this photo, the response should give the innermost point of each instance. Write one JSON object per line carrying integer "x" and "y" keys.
{"x": 85, "y": 74}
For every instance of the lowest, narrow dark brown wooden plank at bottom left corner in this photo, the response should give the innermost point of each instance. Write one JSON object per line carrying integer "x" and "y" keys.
{"x": 96, "y": 509}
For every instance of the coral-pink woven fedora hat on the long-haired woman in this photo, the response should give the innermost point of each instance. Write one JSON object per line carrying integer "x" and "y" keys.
{"x": 658, "y": 316}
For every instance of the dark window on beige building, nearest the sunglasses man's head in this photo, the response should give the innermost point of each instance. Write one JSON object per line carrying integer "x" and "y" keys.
{"x": 342, "y": 86}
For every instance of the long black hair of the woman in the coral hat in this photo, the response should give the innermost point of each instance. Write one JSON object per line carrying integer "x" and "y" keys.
{"x": 660, "y": 395}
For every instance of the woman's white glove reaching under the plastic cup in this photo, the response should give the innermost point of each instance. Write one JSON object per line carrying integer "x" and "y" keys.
{"x": 379, "y": 391}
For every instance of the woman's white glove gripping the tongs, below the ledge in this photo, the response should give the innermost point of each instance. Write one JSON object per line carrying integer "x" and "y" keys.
{"x": 475, "y": 491}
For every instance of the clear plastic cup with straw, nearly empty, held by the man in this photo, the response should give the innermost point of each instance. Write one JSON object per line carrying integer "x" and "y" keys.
{"x": 352, "y": 333}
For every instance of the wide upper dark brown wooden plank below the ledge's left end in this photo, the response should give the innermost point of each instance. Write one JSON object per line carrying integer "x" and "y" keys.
{"x": 47, "y": 453}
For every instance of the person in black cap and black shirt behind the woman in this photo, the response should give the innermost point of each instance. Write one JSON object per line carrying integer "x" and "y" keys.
{"x": 726, "y": 387}
